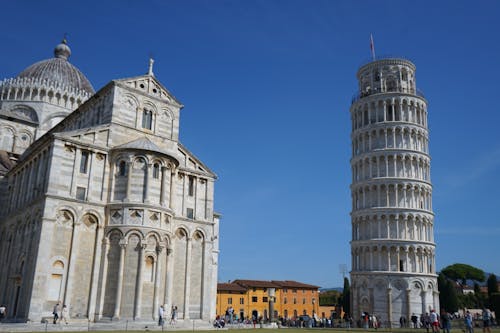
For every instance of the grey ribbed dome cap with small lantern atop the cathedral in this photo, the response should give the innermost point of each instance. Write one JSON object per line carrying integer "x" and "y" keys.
{"x": 58, "y": 70}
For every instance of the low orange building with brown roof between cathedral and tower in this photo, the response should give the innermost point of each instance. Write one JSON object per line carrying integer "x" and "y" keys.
{"x": 254, "y": 299}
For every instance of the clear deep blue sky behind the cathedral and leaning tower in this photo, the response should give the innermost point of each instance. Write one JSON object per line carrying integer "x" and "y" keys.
{"x": 267, "y": 87}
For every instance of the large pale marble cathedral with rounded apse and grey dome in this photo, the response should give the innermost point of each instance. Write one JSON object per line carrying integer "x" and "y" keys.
{"x": 103, "y": 209}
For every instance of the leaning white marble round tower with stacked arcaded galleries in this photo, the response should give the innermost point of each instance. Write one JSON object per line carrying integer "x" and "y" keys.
{"x": 393, "y": 251}
